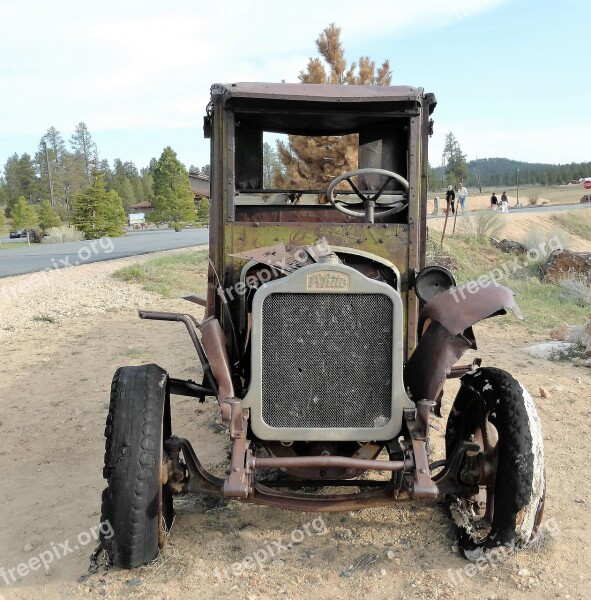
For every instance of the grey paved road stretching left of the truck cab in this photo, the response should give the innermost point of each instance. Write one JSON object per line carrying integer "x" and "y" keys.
{"x": 25, "y": 259}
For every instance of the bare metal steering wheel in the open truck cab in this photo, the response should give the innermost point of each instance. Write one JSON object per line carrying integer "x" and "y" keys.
{"x": 369, "y": 201}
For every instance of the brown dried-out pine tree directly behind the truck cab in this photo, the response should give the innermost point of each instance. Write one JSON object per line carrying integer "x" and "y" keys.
{"x": 318, "y": 160}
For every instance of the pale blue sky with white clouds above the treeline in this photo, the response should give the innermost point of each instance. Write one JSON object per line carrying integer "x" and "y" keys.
{"x": 511, "y": 76}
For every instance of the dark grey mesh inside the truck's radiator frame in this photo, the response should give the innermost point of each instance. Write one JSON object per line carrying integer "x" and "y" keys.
{"x": 327, "y": 360}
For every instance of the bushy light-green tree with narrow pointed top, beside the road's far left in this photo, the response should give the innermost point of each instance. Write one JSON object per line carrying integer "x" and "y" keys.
{"x": 98, "y": 212}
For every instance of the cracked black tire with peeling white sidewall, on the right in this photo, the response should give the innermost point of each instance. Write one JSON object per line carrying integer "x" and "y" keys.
{"x": 520, "y": 483}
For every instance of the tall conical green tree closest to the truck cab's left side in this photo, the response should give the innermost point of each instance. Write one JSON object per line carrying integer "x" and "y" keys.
{"x": 173, "y": 200}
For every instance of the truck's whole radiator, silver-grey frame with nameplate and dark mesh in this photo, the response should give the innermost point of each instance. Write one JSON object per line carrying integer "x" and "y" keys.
{"x": 326, "y": 358}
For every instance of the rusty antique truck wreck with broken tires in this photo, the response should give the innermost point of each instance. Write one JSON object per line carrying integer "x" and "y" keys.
{"x": 327, "y": 341}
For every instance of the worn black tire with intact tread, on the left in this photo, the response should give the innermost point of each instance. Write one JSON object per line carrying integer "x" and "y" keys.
{"x": 136, "y": 507}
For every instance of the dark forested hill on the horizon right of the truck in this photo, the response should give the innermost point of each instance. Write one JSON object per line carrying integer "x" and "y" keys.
{"x": 502, "y": 172}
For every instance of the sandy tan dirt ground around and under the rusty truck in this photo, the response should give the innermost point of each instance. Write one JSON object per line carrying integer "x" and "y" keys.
{"x": 54, "y": 398}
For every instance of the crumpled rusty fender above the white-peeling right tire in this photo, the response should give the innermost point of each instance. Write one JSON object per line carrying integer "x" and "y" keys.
{"x": 445, "y": 332}
